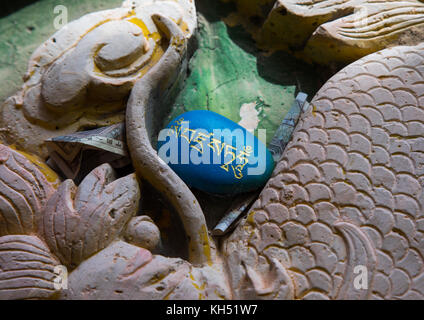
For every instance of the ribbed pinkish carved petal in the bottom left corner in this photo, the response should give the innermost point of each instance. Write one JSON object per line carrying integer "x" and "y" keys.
{"x": 27, "y": 268}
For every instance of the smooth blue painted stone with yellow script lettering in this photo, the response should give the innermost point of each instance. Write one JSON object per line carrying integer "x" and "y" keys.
{"x": 214, "y": 154}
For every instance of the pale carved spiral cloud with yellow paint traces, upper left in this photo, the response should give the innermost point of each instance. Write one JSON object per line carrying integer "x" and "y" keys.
{"x": 82, "y": 75}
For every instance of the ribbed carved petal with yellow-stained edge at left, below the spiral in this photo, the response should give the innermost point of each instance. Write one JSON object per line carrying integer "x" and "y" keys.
{"x": 24, "y": 190}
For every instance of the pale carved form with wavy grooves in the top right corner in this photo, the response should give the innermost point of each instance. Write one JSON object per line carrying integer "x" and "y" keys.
{"x": 370, "y": 28}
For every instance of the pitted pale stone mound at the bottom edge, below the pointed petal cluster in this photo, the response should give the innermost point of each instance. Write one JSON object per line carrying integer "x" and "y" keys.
{"x": 124, "y": 271}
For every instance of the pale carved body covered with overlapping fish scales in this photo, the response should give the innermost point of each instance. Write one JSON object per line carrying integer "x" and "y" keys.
{"x": 348, "y": 192}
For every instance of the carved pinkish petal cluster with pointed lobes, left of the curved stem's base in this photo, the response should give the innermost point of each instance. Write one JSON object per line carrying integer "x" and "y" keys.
{"x": 79, "y": 222}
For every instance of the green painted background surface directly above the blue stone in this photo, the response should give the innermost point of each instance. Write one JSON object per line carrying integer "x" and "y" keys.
{"x": 227, "y": 71}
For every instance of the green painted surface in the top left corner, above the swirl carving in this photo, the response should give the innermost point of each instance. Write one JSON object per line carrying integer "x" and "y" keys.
{"x": 23, "y": 31}
